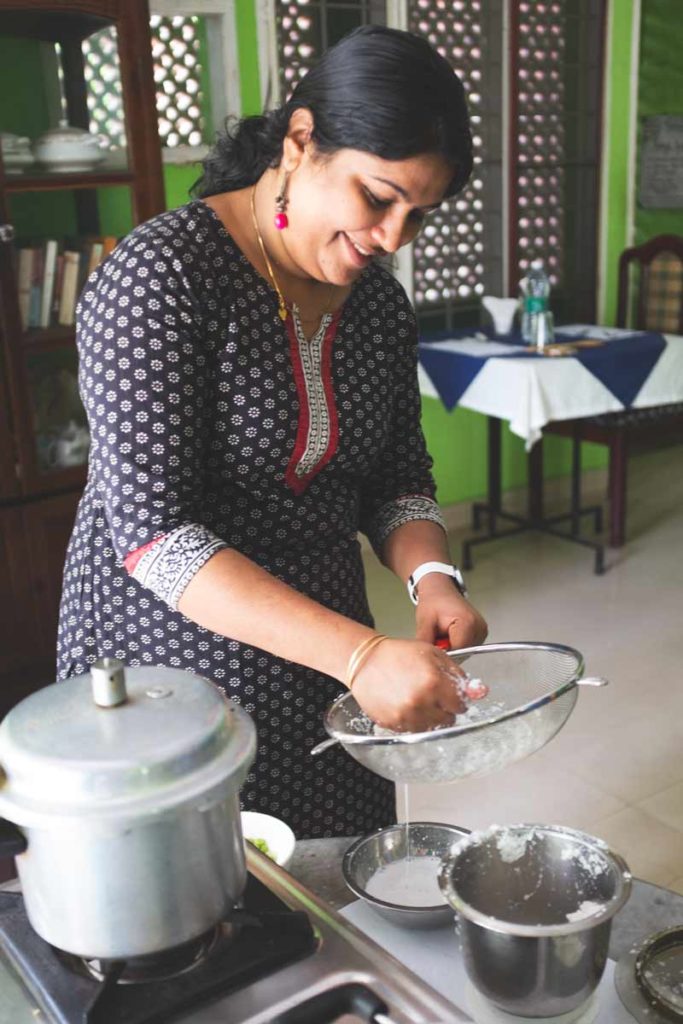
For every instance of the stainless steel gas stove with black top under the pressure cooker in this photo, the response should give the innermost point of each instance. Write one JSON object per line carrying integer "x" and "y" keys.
{"x": 283, "y": 958}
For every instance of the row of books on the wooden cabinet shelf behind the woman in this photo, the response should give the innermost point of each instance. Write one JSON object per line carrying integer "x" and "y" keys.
{"x": 52, "y": 275}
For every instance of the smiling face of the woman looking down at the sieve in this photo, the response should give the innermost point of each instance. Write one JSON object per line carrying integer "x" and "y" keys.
{"x": 350, "y": 208}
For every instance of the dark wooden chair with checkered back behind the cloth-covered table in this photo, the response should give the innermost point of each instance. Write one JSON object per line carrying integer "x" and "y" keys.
{"x": 650, "y": 298}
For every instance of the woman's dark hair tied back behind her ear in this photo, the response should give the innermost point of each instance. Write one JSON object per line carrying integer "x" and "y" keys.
{"x": 380, "y": 91}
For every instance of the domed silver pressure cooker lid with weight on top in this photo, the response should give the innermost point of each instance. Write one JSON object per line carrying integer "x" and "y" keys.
{"x": 109, "y": 742}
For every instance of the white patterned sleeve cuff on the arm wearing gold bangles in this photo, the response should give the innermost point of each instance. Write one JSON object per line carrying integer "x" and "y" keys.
{"x": 169, "y": 565}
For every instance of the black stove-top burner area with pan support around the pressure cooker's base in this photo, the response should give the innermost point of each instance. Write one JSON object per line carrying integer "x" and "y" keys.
{"x": 258, "y": 942}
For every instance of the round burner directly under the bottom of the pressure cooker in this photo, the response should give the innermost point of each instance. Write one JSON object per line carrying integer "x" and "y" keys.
{"x": 153, "y": 967}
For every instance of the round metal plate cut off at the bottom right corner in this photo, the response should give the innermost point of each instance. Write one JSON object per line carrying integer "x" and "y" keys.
{"x": 650, "y": 978}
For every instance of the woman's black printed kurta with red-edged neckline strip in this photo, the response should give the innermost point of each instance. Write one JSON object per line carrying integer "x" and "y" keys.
{"x": 216, "y": 425}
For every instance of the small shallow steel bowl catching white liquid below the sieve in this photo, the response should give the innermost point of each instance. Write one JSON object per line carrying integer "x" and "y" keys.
{"x": 386, "y": 846}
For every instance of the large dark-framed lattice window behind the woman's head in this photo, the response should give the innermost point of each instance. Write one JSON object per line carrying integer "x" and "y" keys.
{"x": 533, "y": 73}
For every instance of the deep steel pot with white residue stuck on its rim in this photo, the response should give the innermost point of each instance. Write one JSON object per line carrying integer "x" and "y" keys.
{"x": 535, "y": 907}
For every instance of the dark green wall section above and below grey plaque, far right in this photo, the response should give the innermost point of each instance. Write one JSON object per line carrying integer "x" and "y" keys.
{"x": 660, "y": 92}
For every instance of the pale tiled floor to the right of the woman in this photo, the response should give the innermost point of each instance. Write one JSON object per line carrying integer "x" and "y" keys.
{"x": 617, "y": 769}
